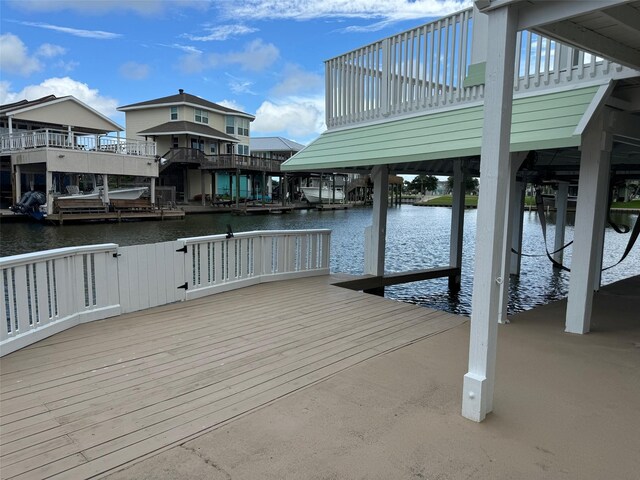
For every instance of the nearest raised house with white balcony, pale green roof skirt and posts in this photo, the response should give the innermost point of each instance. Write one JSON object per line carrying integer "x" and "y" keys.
{"x": 513, "y": 91}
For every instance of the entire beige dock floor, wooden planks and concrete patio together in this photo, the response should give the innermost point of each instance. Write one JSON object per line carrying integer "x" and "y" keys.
{"x": 316, "y": 378}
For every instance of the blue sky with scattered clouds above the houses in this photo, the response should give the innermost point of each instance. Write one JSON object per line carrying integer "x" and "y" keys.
{"x": 262, "y": 57}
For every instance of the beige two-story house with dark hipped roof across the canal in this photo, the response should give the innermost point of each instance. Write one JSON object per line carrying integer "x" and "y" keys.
{"x": 204, "y": 146}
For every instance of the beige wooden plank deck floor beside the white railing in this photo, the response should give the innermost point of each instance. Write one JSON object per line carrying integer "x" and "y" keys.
{"x": 100, "y": 395}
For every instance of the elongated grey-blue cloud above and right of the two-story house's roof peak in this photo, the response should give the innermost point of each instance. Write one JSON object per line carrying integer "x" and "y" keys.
{"x": 256, "y": 56}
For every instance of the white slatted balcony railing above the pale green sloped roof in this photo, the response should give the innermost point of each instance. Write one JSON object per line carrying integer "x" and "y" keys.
{"x": 428, "y": 68}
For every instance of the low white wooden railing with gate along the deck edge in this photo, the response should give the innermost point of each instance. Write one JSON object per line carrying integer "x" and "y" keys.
{"x": 46, "y": 292}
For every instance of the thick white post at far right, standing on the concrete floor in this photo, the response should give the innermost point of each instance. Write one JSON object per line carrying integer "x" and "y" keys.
{"x": 595, "y": 162}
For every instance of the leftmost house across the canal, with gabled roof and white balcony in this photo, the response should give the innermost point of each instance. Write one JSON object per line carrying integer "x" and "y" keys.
{"x": 47, "y": 143}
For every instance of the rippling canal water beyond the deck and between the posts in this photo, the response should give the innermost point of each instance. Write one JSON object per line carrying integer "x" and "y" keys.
{"x": 417, "y": 237}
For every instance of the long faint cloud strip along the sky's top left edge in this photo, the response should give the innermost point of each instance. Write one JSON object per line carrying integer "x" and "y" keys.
{"x": 100, "y": 7}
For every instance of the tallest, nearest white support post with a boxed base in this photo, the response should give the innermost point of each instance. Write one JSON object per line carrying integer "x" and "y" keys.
{"x": 477, "y": 393}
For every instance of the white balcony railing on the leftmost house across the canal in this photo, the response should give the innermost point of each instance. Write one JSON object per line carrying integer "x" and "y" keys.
{"x": 49, "y": 138}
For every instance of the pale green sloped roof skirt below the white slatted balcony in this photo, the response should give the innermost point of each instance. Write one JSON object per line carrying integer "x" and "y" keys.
{"x": 538, "y": 122}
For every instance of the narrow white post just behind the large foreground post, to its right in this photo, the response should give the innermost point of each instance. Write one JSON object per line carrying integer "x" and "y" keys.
{"x": 515, "y": 161}
